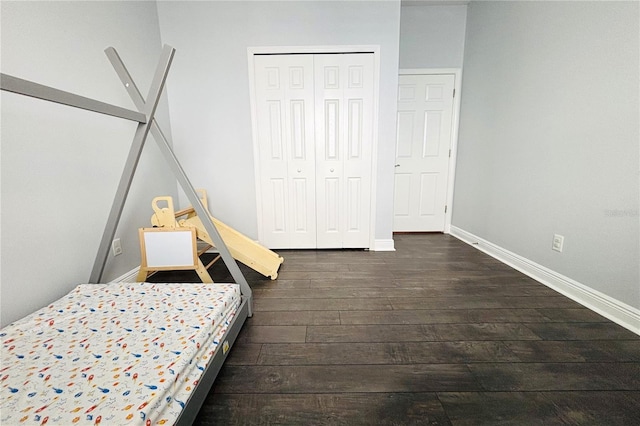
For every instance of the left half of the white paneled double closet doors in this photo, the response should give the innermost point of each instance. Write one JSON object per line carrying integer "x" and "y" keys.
{"x": 285, "y": 120}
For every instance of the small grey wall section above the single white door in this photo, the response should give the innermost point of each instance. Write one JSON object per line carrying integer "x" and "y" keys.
{"x": 432, "y": 36}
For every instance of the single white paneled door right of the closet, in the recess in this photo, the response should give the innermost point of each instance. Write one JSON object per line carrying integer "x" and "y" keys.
{"x": 425, "y": 113}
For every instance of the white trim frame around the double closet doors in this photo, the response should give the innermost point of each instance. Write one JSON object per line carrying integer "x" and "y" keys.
{"x": 329, "y": 49}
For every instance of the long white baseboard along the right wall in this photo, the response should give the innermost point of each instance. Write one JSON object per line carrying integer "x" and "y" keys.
{"x": 615, "y": 310}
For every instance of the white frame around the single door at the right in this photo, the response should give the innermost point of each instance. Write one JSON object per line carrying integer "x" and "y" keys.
{"x": 455, "y": 121}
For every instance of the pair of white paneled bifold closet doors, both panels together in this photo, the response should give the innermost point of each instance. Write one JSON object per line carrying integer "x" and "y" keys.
{"x": 315, "y": 133}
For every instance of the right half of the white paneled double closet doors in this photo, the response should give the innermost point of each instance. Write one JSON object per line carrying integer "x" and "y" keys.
{"x": 344, "y": 138}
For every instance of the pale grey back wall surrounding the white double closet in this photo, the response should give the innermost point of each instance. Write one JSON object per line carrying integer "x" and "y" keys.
{"x": 209, "y": 89}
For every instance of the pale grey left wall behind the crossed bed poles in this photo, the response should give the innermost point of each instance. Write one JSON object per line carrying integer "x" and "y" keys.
{"x": 61, "y": 165}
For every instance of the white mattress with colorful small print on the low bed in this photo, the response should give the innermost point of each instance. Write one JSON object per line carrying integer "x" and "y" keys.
{"x": 113, "y": 354}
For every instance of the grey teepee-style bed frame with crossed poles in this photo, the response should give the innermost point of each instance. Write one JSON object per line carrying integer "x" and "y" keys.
{"x": 145, "y": 116}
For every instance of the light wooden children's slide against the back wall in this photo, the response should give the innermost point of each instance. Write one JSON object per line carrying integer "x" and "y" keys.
{"x": 241, "y": 247}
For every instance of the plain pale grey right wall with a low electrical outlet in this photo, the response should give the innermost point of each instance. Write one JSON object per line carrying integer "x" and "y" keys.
{"x": 549, "y": 137}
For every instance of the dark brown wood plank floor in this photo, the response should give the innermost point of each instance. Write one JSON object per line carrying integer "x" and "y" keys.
{"x": 433, "y": 333}
